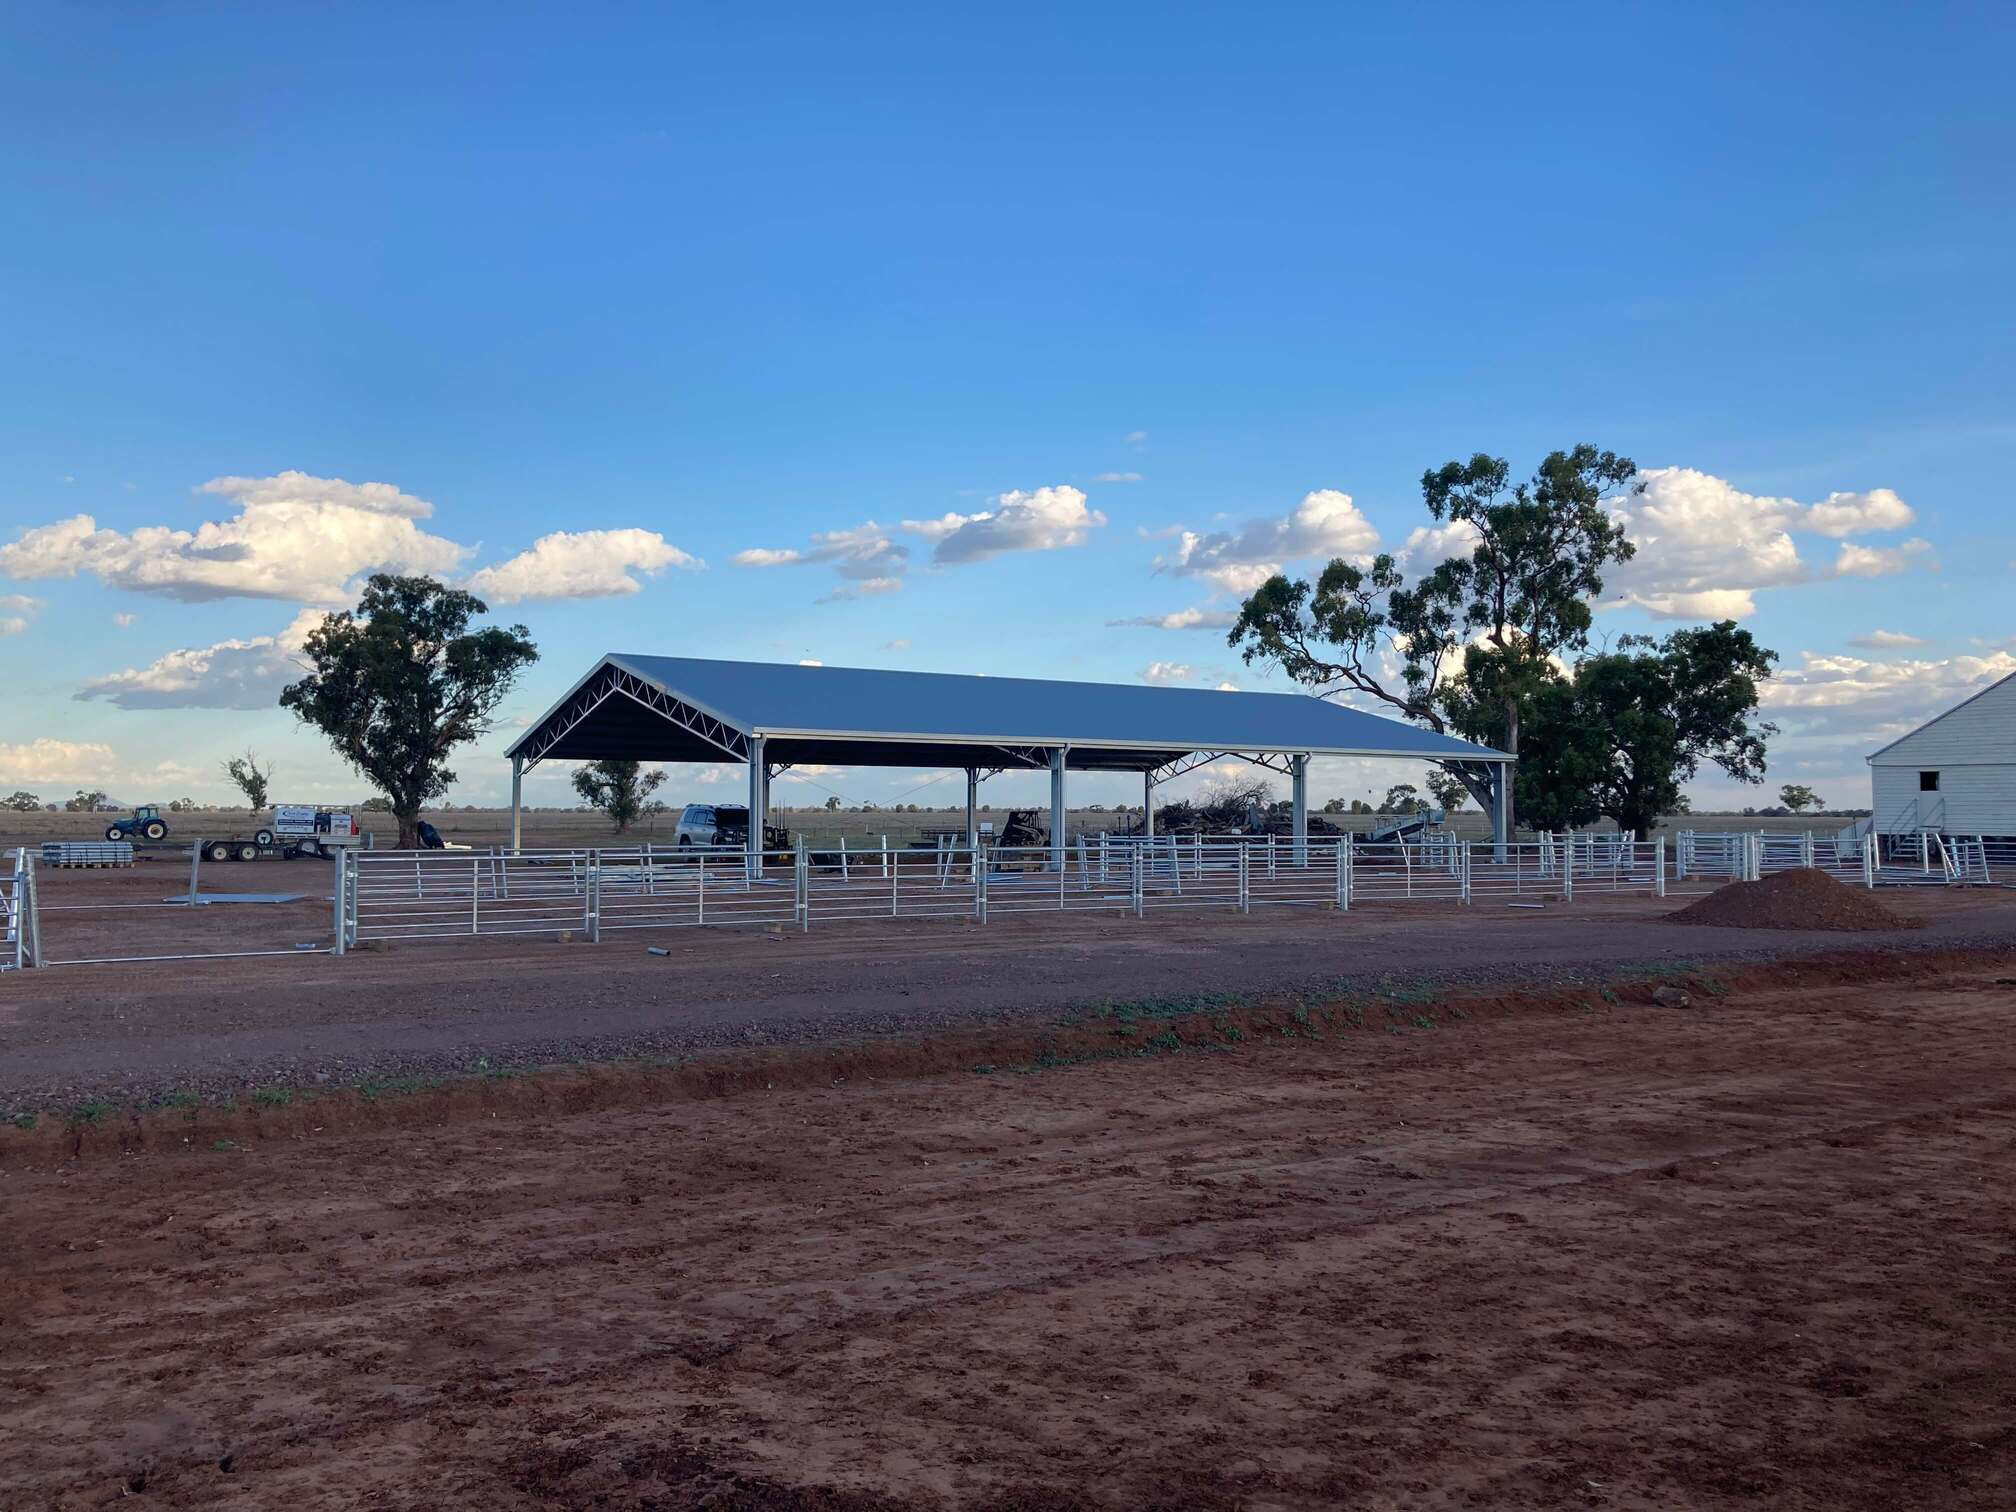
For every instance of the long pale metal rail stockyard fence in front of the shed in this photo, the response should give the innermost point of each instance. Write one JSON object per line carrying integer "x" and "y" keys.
{"x": 390, "y": 896}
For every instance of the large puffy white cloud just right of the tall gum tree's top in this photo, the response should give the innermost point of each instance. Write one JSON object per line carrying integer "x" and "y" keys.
{"x": 1707, "y": 547}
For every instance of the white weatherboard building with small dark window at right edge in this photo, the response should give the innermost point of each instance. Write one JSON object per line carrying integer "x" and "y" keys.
{"x": 1955, "y": 775}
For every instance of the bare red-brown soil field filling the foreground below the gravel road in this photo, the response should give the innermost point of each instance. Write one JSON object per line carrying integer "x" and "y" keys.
{"x": 1511, "y": 1249}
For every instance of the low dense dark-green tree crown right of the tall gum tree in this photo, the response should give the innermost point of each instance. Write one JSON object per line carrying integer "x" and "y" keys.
{"x": 1628, "y": 729}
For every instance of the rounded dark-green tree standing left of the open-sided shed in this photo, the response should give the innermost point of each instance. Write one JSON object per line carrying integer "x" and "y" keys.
{"x": 402, "y": 682}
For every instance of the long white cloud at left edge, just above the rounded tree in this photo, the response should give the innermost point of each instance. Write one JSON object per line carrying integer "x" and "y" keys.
{"x": 293, "y": 537}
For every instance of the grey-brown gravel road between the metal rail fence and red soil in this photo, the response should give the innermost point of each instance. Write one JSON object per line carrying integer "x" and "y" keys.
{"x": 428, "y": 1009}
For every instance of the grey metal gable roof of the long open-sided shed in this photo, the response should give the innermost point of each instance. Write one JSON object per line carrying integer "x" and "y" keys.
{"x": 684, "y": 709}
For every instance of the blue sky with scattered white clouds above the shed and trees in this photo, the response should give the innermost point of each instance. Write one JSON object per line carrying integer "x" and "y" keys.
{"x": 688, "y": 287}
